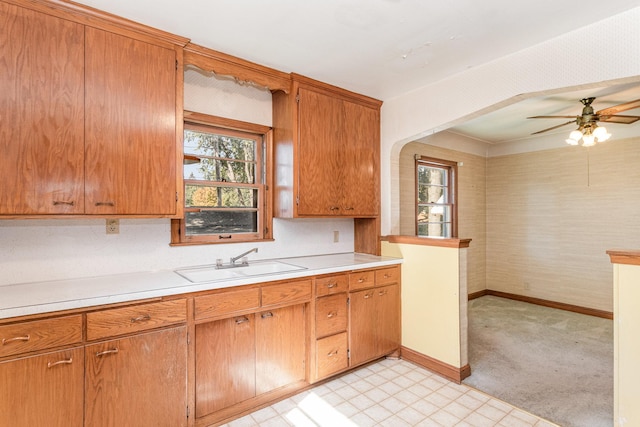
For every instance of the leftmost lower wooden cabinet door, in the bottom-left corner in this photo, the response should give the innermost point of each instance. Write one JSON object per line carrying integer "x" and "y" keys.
{"x": 44, "y": 390}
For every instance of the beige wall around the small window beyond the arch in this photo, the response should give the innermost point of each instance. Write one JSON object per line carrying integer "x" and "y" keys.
{"x": 471, "y": 201}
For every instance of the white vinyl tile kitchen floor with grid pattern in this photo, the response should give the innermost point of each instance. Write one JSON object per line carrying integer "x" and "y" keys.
{"x": 393, "y": 393}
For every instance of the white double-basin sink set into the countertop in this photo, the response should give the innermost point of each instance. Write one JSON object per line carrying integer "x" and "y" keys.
{"x": 209, "y": 273}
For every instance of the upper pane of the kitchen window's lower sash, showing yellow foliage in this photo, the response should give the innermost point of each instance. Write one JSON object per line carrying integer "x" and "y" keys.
{"x": 199, "y": 196}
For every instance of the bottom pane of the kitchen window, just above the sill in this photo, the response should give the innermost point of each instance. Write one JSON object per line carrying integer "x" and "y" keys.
{"x": 216, "y": 222}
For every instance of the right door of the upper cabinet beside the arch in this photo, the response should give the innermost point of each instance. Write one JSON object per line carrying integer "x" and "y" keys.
{"x": 360, "y": 156}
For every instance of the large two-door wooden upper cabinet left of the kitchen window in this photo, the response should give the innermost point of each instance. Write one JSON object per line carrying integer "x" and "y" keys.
{"x": 88, "y": 118}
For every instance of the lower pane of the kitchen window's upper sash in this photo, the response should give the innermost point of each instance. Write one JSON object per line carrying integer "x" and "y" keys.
{"x": 209, "y": 169}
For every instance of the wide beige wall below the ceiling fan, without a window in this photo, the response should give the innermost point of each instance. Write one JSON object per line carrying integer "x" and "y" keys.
{"x": 551, "y": 215}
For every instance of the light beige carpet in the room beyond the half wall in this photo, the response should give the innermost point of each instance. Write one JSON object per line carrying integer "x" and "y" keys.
{"x": 553, "y": 363}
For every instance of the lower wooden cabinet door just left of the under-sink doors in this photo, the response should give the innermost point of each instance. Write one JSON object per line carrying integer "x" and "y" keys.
{"x": 137, "y": 381}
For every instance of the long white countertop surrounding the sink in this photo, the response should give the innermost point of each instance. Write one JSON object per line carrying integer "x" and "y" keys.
{"x": 41, "y": 297}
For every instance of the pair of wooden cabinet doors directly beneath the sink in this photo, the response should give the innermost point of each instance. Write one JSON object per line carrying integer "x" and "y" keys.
{"x": 242, "y": 357}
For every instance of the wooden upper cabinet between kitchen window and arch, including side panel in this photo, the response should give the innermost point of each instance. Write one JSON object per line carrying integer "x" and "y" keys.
{"x": 327, "y": 149}
